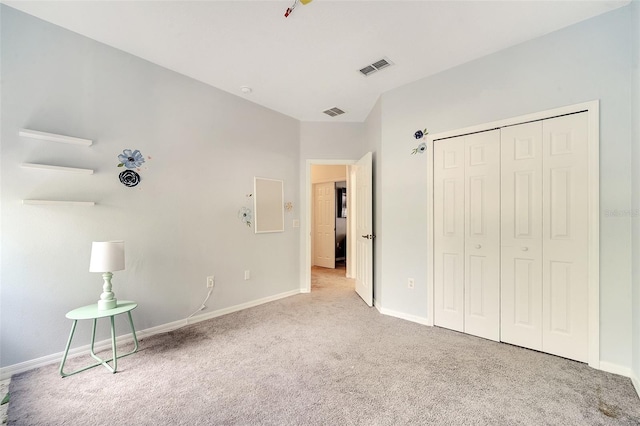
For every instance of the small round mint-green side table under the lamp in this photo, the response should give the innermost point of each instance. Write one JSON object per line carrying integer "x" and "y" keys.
{"x": 92, "y": 312}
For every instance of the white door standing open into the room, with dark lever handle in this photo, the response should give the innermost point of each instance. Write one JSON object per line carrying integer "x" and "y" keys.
{"x": 364, "y": 229}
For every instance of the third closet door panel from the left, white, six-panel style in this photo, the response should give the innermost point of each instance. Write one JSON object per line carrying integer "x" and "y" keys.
{"x": 521, "y": 235}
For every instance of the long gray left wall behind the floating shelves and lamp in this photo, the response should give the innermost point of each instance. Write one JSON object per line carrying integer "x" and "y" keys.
{"x": 180, "y": 224}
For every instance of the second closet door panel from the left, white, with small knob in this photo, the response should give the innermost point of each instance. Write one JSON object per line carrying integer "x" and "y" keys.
{"x": 482, "y": 229}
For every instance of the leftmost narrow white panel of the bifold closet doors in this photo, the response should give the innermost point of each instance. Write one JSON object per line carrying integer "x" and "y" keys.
{"x": 448, "y": 170}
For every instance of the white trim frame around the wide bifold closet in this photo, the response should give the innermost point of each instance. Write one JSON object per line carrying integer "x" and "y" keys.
{"x": 593, "y": 110}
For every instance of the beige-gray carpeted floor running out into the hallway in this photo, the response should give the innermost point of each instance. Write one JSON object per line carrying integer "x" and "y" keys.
{"x": 324, "y": 359}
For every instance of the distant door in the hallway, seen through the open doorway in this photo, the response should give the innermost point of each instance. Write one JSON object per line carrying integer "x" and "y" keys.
{"x": 325, "y": 225}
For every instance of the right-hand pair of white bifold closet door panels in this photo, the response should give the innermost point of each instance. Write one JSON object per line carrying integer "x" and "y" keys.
{"x": 544, "y": 294}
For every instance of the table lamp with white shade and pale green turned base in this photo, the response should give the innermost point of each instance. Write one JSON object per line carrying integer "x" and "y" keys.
{"x": 106, "y": 257}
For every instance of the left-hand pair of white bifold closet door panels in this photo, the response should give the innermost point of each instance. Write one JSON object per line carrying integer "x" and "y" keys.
{"x": 467, "y": 234}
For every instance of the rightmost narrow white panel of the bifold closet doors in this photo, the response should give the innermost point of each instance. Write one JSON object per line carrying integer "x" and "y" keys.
{"x": 565, "y": 236}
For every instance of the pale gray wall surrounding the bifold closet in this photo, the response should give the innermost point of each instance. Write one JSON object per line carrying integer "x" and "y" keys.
{"x": 587, "y": 61}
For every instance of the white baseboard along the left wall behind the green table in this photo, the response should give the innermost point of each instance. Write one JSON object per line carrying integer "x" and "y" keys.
{"x": 10, "y": 370}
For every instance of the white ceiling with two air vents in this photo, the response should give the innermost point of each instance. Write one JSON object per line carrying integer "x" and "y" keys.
{"x": 309, "y": 62}
